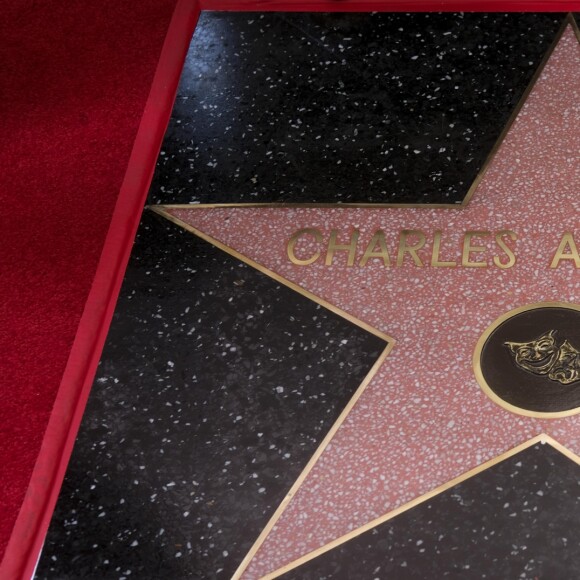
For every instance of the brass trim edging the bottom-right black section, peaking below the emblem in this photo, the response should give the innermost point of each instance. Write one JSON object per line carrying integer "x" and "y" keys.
{"x": 542, "y": 438}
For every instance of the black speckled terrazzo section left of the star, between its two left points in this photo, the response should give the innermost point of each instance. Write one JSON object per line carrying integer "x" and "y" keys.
{"x": 215, "y": 388}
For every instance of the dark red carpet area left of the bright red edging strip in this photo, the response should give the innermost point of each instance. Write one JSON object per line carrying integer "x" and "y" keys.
{"x": 74, "y": 80}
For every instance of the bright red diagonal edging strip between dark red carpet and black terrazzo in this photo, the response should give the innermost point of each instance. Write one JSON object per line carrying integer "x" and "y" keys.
{"x": 31, "y": 526}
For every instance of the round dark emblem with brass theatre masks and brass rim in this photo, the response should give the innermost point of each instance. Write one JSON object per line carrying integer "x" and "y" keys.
{"x": 528, "y": 360}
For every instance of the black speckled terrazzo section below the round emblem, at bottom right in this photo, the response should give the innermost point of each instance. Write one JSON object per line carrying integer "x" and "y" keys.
{"x": 519, "y": 519}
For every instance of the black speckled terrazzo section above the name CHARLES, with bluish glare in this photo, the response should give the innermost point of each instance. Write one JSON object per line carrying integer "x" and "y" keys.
{"x": 345, "y": 107}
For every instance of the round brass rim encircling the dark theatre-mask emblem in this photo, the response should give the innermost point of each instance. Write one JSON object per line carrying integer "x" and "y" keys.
{"x": 478, "y": 371}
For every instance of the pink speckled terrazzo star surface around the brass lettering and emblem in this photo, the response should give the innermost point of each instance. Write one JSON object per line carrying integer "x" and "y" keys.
{"x": 423, "y": 420}
